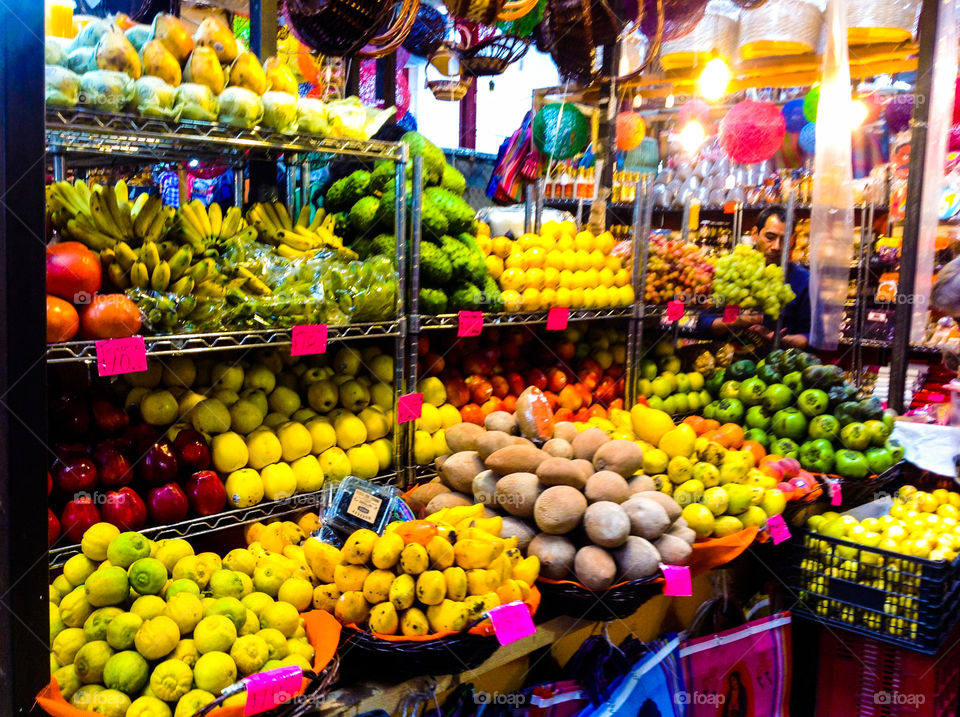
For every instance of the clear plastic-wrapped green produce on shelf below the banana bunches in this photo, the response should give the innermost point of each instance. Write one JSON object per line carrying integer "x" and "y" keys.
{"x": 256, "y": 289}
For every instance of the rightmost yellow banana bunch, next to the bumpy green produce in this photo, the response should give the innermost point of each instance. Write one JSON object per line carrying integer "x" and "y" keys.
{"x": 295, "y": 239}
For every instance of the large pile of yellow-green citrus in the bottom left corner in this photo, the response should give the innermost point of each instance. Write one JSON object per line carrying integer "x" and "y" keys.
{"x": 150, "y": 629}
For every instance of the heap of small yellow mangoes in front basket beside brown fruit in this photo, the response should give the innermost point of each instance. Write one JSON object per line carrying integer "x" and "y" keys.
{"x": 414, "y": 581}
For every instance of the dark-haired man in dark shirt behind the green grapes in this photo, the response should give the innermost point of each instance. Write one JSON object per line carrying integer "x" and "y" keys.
{"x": 768, "y": 235}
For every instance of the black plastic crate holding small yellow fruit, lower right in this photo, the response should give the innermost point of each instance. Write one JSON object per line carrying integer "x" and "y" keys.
{"x": 903, "y": 600}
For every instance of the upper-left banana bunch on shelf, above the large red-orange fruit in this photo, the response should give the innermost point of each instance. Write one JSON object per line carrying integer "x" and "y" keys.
{"x": 101, "y": 216}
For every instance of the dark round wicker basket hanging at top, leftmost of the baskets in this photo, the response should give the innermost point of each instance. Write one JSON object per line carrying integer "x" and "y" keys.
{"x": 336, "y": 27}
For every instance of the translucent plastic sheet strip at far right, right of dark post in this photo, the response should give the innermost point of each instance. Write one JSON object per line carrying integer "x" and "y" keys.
{"x": 942, "y": 87}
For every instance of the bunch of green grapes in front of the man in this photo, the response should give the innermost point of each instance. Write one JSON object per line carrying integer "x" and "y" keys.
{"x": 744, "y": 278}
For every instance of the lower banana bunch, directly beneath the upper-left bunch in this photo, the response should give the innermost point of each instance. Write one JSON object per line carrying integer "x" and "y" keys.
{"x": 163, "y": 266}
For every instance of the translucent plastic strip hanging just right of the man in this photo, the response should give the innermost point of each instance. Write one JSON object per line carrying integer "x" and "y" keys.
{"x": 831, "y": 218}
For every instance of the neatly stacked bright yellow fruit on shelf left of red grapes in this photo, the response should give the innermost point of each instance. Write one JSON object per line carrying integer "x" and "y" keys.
{"x": 558, "y": 267}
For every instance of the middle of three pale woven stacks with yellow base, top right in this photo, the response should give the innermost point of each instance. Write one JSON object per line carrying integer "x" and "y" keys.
{"x": 780, "y": 27}
